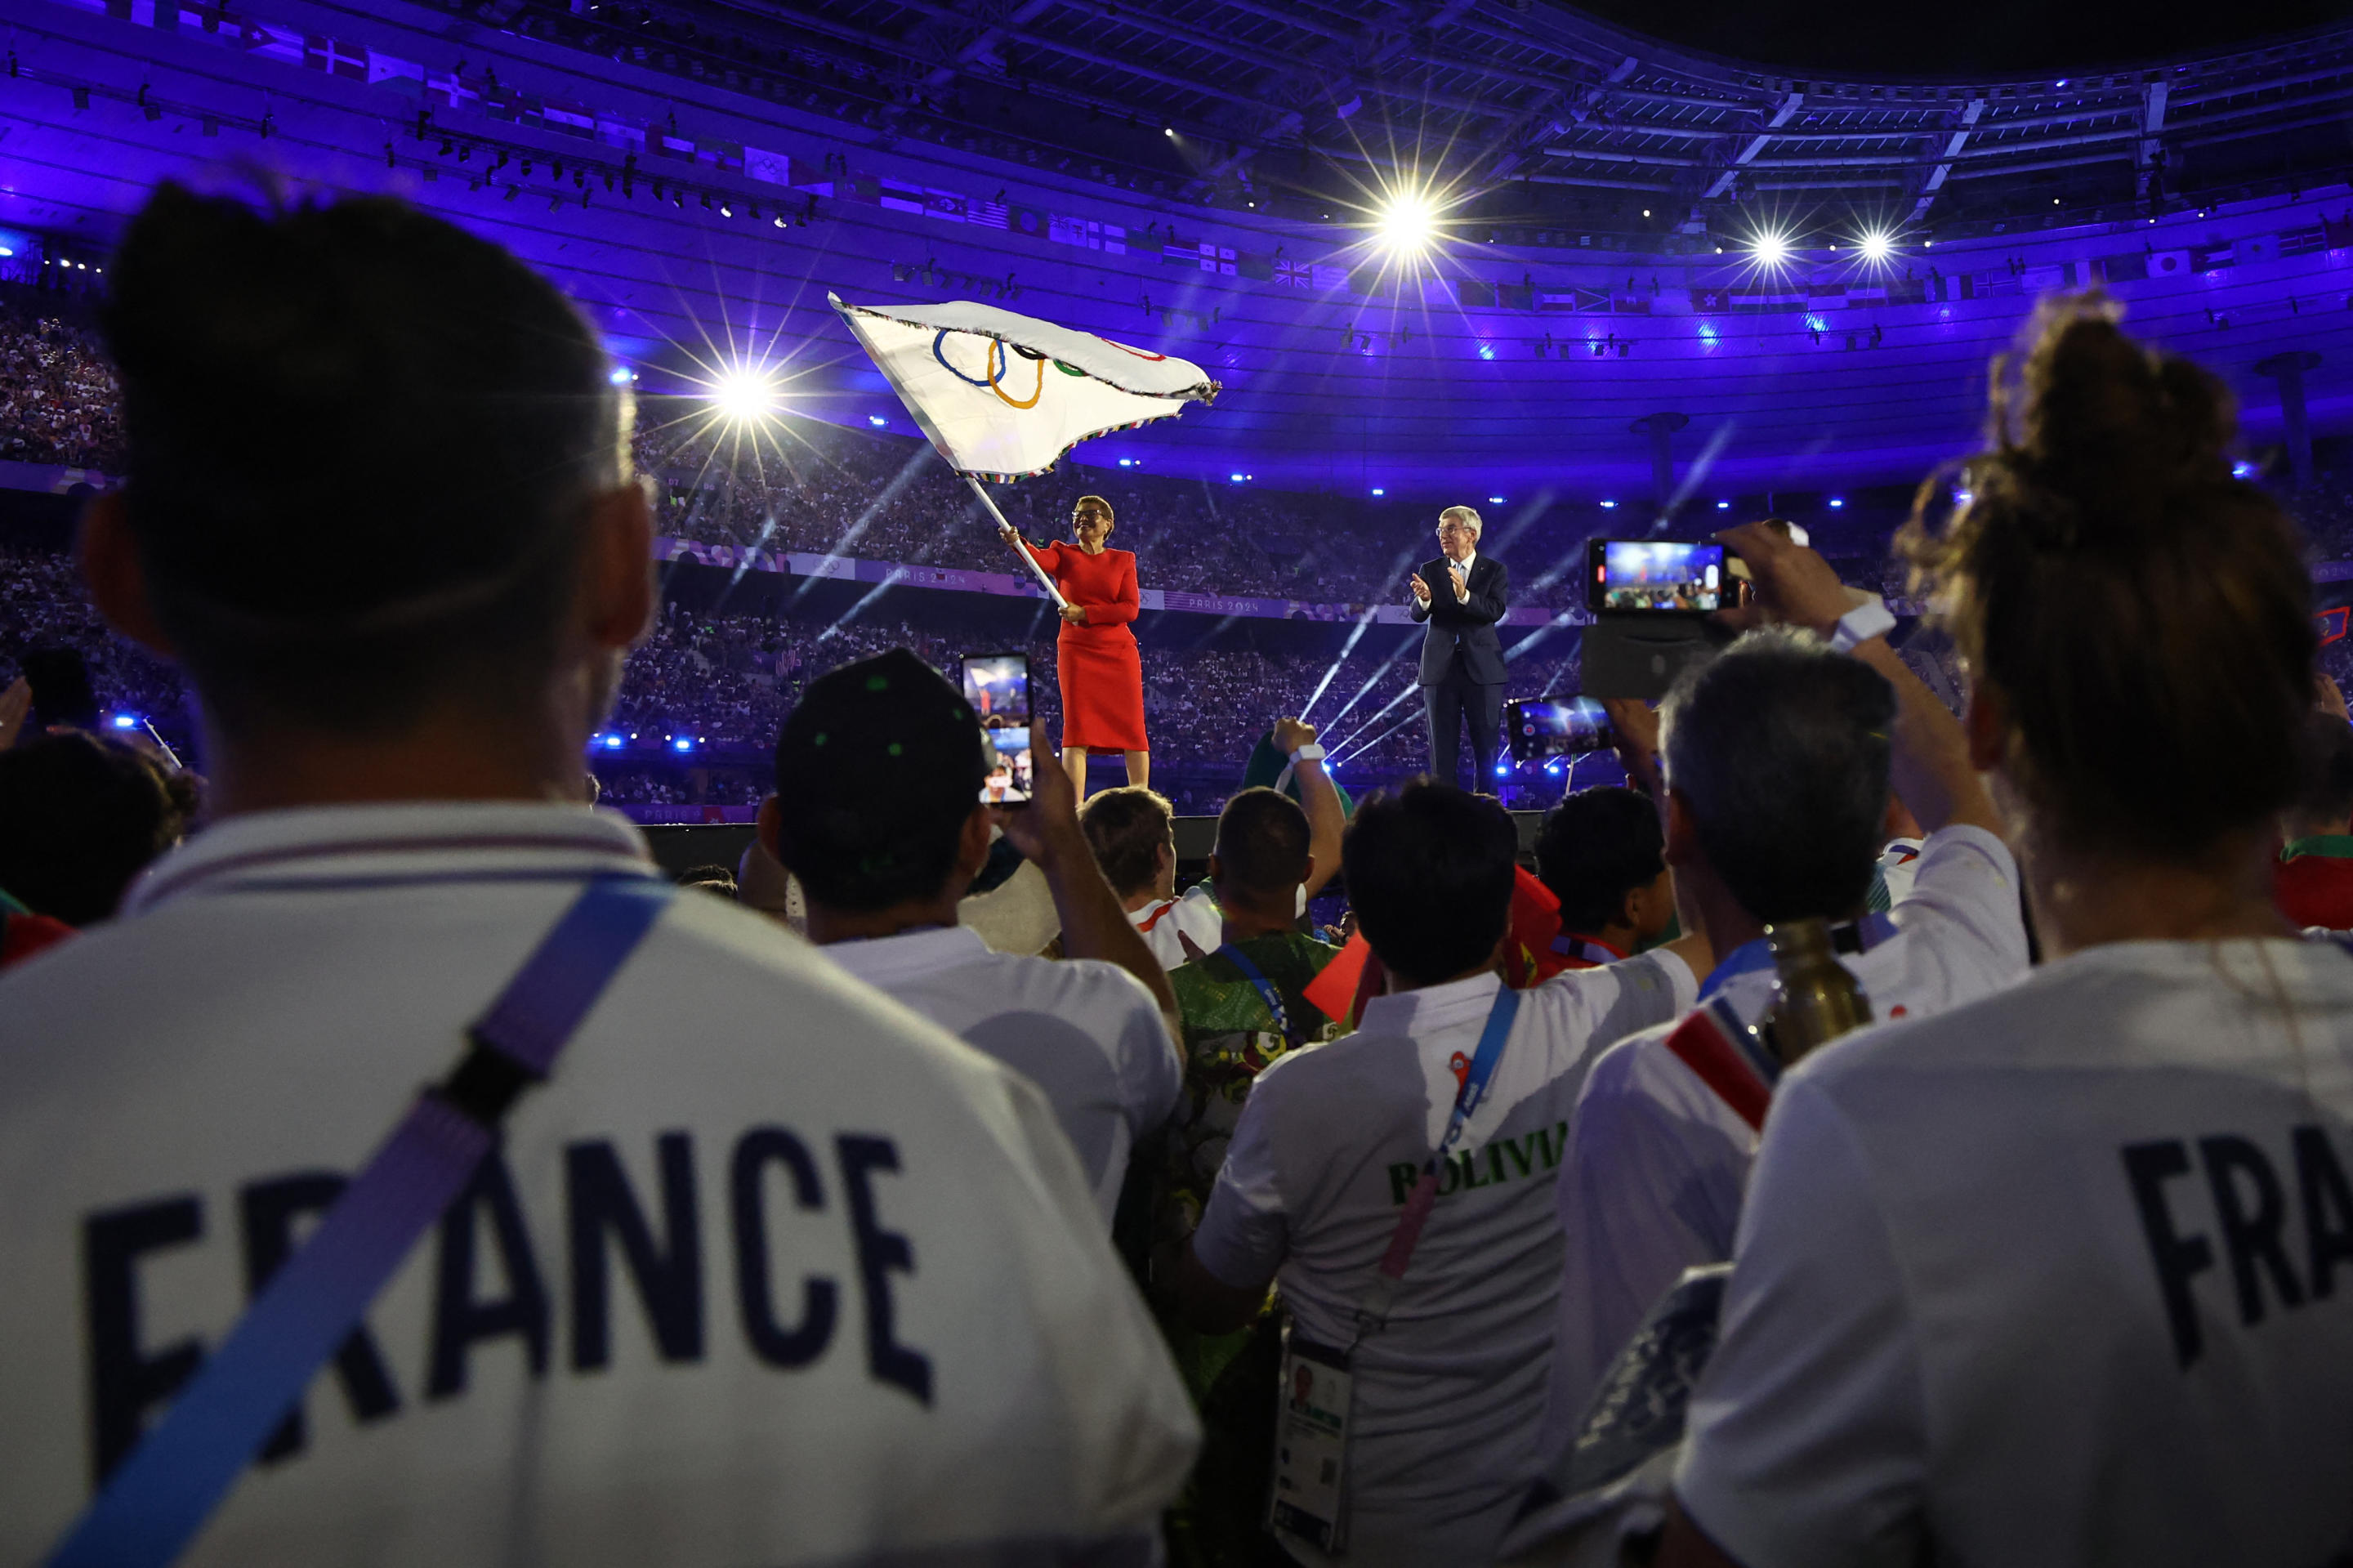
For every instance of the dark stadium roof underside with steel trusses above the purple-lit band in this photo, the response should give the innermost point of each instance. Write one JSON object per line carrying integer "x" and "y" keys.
{"x": 1512, "y": 93}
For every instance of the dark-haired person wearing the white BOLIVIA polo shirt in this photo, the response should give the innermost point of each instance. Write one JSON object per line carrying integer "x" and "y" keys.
{"x": 1333, "y": 1141}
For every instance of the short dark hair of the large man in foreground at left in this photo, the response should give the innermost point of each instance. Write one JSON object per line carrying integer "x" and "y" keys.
{"x": 361, "y": 449}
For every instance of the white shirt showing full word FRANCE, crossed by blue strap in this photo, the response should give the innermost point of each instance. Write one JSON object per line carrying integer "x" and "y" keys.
{"x": 768, "y": 1273}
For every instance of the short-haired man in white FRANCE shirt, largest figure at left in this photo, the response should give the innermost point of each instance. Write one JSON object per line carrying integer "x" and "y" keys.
{"x": 768, "y": 1270}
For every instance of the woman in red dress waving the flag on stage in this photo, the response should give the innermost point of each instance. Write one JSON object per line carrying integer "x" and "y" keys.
{"x": 1102, "y": 675}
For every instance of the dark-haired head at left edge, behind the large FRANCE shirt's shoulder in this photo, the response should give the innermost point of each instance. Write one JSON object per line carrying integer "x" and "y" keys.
{"x": 81, "y": 818}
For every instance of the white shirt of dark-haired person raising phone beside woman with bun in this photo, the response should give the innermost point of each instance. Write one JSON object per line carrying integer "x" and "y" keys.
{"x": 1658, "y": 1160}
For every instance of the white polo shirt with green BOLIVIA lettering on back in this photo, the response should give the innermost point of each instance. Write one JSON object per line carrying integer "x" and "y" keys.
{"x": 1333, "y": 1138}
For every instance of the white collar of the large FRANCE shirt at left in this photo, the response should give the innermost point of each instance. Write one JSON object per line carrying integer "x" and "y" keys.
{"x": 396, "y": 844}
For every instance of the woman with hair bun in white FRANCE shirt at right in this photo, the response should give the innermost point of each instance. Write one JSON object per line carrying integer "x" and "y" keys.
{"x": 2067, "y": 1275}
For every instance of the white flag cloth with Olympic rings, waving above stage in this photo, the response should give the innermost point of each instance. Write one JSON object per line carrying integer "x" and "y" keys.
{"x": 1004, "y": 397}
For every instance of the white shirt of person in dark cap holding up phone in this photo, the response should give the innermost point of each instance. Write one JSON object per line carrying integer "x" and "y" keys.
{"x": 1084, "y": 1032}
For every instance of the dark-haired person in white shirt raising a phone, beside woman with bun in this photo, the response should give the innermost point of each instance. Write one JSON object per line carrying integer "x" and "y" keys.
{"x": 1778, "y": 778}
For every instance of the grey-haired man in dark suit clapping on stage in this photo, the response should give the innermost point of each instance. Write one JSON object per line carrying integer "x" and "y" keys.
{"x": 1462, "y": 658}
